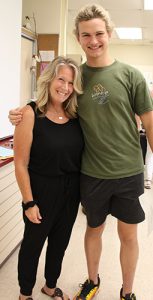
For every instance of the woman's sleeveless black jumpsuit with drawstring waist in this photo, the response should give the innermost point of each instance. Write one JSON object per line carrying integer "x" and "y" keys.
{"x": 54, "y": 170}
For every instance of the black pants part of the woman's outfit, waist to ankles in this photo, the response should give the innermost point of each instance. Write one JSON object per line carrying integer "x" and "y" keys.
{"x": 58, "y": 201}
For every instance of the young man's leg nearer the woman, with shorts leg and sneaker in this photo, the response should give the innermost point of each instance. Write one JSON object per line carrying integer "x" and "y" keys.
{"x": 96, "y": 199}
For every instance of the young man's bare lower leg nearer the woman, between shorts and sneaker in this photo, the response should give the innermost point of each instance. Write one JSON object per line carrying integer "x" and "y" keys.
{"x": 93, "y": 248}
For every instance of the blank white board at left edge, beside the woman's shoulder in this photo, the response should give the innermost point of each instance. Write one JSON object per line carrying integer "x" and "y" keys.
{"x": 10, "y": 33}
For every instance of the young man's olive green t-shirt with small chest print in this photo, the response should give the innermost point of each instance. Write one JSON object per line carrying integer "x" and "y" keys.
{"x": 112, "y": 95}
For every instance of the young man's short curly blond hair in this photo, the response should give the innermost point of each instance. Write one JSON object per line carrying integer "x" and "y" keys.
{"x": 90, "y": 12}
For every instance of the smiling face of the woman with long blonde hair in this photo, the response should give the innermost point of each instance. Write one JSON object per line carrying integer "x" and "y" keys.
{"x": 61, "y": 86}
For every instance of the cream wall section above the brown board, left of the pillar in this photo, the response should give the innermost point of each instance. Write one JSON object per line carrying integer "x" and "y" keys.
{"x": 47, "y": 14}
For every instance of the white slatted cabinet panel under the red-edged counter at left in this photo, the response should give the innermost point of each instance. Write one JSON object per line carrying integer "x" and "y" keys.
{"x": 11, "y": 223}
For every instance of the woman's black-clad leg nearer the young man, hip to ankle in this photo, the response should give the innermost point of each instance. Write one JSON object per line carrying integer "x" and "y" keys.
{"x": 60, "y": 233}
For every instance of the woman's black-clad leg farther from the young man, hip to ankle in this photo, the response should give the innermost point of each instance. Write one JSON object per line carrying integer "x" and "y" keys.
{"x": 35, "y": 234}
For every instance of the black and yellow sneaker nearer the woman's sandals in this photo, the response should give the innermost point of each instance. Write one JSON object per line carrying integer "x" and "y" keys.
{"x": 88, "y": 290}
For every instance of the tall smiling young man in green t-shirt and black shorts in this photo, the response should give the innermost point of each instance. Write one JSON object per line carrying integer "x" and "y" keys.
{"x": 112, "y": 164}
